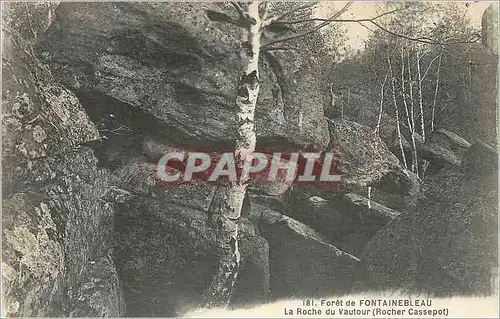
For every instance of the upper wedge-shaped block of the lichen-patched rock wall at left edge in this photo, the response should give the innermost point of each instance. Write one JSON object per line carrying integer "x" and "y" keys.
{"x": 52, "y": 119}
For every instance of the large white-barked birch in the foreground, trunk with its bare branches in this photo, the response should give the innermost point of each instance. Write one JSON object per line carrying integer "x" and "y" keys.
{"x": 254, "y": 18}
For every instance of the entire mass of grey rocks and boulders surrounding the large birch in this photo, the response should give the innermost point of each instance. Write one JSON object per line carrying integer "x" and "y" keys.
{"x": 95, "y": 93}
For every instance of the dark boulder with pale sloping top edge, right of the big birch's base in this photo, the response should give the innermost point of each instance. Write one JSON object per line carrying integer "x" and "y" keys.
{"x": 302, "y": 262}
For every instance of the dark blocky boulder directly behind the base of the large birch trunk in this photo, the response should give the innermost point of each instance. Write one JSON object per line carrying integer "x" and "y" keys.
{"x": 166, "y": 258}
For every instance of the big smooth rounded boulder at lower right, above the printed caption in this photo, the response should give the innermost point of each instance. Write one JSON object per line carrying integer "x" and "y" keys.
{"x": 448, "y": 247}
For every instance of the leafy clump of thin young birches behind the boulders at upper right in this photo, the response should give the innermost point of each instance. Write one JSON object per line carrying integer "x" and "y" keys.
{"x": 428, "y": 45}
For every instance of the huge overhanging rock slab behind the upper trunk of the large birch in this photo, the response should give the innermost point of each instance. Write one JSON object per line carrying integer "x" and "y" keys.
{"x": 172, "y": 62}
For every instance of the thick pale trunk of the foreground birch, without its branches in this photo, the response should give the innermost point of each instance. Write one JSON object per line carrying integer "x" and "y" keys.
{"x": 227, "y": 212}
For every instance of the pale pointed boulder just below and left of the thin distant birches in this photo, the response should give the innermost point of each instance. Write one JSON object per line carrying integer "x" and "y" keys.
{"x": 364, "y": 160}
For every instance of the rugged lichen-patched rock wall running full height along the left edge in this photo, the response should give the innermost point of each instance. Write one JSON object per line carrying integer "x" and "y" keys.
{"x": 56, "y": 221}
